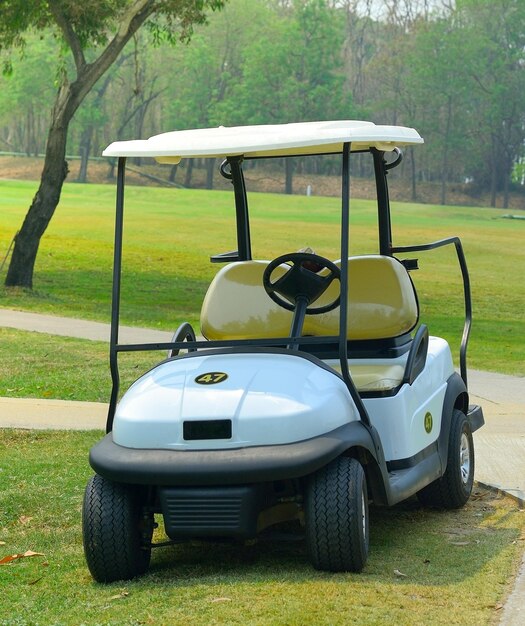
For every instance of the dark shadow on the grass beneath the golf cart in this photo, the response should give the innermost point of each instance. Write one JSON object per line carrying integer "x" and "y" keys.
{"x": 429, "y": 546}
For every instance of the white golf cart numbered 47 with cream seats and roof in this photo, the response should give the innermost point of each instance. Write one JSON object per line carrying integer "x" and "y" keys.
{"x": 313, "y": 391}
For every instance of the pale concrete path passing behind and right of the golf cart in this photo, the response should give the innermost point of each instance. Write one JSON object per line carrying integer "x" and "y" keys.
{"x": 500, "y": 444}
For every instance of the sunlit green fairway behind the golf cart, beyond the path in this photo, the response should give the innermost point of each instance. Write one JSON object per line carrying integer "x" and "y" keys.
{"x": 170, "y": 234}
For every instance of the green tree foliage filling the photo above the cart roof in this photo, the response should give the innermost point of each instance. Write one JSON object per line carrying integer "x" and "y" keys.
{"x": 456, "y": 72}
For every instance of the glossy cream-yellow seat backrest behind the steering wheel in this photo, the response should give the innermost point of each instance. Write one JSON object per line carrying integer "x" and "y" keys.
{"x": 381, "y": 303}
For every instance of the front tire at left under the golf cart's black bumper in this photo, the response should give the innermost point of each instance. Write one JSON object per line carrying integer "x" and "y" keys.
{"x": 116, "y": 538}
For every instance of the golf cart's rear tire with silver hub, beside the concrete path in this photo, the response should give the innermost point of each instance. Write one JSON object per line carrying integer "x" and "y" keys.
{"x": 453, "y": 489}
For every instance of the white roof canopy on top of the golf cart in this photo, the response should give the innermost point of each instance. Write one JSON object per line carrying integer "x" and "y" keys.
{"x": 265, "y": 141}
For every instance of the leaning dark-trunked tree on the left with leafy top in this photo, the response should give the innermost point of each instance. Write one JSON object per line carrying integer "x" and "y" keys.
{"x": 95, "y": 33}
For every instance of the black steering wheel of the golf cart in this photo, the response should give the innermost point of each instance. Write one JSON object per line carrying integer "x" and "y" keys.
{"x": 300, "y": 282}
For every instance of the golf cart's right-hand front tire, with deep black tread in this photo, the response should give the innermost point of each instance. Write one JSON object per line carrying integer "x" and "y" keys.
{"x": 336, "y": 517}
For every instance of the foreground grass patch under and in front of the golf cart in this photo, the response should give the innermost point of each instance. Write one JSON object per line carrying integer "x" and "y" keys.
{"x": 457, "y": 564}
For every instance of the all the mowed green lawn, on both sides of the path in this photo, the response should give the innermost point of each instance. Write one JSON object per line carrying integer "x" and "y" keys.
{"x": 425, "y": 566}
